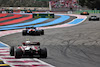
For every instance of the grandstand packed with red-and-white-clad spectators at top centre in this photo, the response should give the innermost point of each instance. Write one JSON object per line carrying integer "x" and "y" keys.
{"x": 64, "y": 5}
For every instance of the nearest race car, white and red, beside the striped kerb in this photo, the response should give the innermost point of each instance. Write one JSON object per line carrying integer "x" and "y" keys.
{"x": 28, "y": 49}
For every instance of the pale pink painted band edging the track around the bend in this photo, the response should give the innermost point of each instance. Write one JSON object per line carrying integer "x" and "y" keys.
{"x": 3, "y": 33}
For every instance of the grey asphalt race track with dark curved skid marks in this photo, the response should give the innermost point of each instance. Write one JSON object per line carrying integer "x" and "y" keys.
{"x": 76, "y": 46}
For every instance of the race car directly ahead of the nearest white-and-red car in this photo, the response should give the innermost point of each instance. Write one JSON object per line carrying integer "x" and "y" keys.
{"x": 32, "y": 31}
